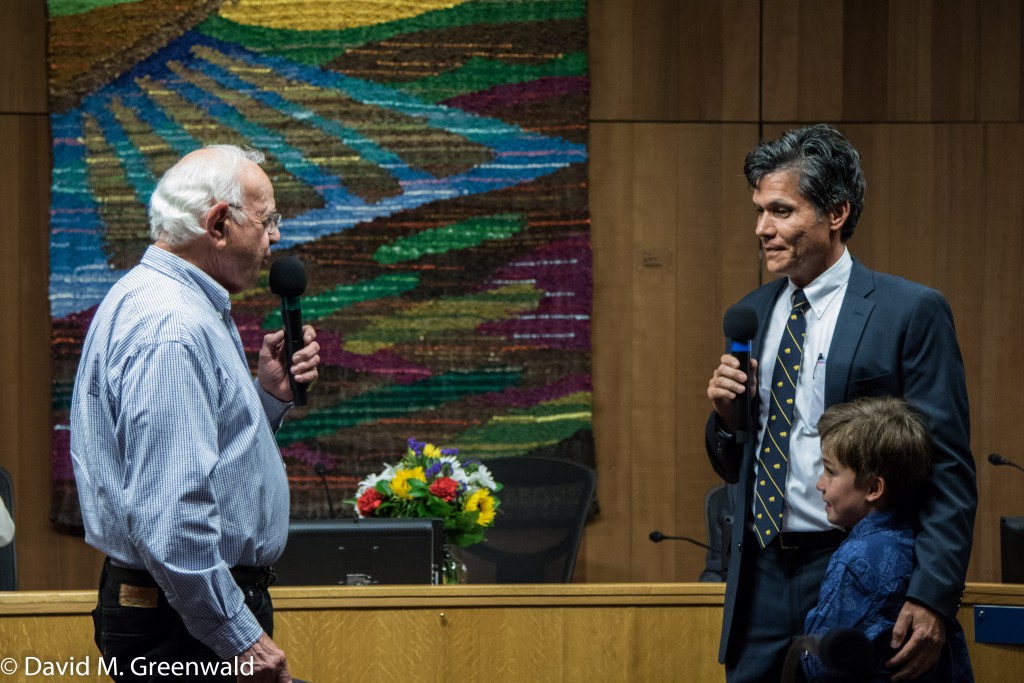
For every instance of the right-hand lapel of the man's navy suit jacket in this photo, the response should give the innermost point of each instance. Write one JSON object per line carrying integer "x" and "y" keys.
{"x": 849, "y": 330}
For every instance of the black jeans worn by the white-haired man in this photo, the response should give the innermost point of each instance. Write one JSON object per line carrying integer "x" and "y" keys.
{"x": 142, "y": 644}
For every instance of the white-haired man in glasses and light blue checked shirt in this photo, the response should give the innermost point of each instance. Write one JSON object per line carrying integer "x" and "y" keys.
{"x": 181, "y": 480}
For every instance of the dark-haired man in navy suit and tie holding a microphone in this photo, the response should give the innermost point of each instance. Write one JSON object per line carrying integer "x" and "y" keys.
{"x": 863, "y": 333}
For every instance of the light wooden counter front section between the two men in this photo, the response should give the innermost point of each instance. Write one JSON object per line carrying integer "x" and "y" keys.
{"x": 526, "y": 633}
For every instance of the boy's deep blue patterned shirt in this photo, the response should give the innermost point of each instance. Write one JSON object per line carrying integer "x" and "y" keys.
{"x": 865, "y": 589}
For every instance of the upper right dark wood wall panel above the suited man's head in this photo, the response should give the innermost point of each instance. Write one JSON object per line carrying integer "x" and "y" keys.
{"x": 875, "y": 61}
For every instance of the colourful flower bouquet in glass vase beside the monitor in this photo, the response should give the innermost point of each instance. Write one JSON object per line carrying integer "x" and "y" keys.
{"x": 433, "y": 483}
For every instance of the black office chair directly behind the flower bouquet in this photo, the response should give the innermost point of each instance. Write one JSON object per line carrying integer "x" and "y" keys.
{"x": 539, "y": 527}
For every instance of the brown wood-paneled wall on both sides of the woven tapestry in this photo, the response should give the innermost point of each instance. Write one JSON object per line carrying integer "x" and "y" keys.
{"x": 929, "y": 91}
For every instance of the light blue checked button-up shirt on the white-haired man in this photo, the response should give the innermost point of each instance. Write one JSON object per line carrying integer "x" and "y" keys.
{"x": 173, "y": 441}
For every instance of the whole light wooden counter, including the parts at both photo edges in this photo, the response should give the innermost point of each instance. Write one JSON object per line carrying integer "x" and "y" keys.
{"x": 578, "y": 632}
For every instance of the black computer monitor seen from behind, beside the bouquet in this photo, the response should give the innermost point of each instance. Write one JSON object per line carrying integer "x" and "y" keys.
{"x": 361, "y": 552}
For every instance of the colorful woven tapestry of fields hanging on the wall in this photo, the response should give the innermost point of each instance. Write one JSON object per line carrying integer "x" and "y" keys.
{"x": 430, "y": 159}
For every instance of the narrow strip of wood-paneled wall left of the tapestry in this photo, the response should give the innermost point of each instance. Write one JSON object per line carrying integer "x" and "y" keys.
{"x": 47, "y": 560}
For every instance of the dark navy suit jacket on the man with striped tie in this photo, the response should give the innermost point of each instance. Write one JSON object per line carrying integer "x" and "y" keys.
{"x": 893, "y": 337}
